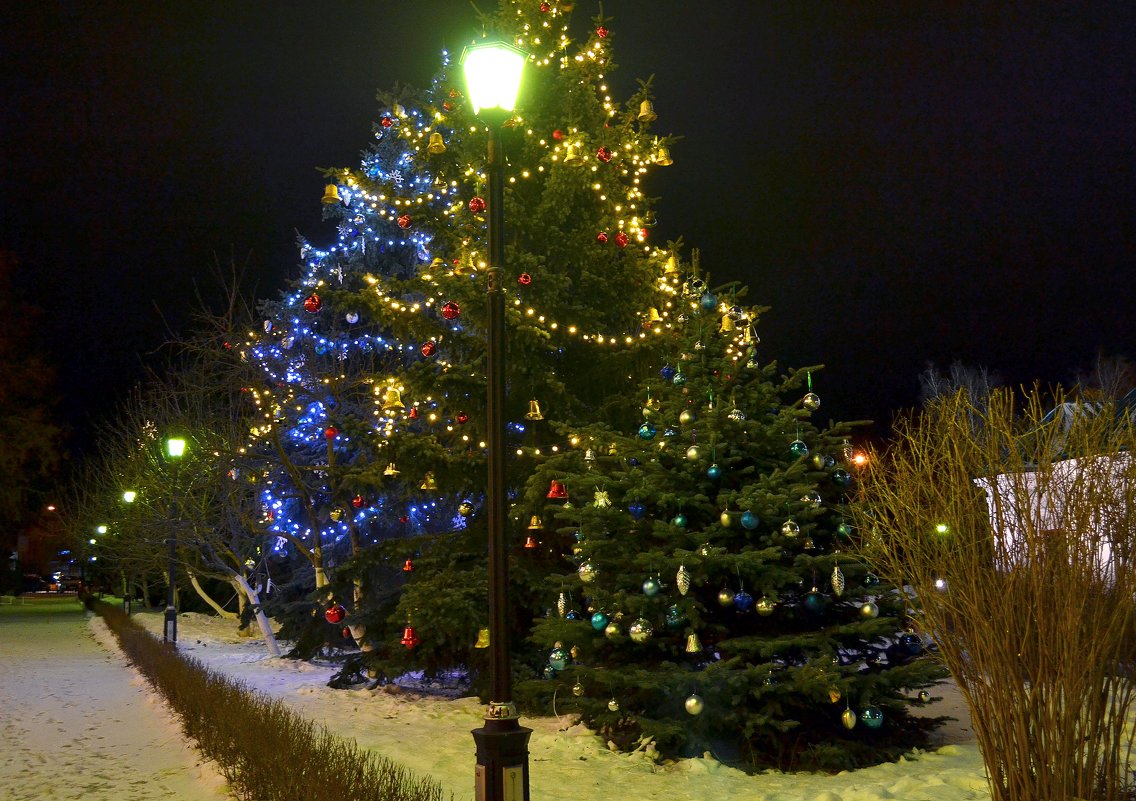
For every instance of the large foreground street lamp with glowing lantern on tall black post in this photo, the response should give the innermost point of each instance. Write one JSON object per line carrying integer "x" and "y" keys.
{"x": 494, "y": 74}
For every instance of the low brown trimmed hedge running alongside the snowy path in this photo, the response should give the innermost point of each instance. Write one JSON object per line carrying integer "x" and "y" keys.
{"x": 266, "y": 752}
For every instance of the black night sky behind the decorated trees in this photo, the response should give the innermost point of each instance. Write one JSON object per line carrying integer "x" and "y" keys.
{"x": 901, "y": 182}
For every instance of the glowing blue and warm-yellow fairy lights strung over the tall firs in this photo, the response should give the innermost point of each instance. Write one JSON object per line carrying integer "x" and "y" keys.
{"x": 399, "y": 187}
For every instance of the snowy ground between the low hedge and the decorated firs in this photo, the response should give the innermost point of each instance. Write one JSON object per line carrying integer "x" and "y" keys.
{"x": 431, "y": 736}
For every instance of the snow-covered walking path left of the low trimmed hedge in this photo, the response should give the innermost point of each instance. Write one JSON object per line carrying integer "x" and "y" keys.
{"x": 78, "y": 723}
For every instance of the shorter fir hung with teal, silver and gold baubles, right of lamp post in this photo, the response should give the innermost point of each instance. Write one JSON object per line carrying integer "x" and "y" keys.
{"x": 705, "y": 599}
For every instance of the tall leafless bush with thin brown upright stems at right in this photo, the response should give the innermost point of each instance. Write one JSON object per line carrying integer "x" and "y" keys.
{"x": 1016, "y": 538}
